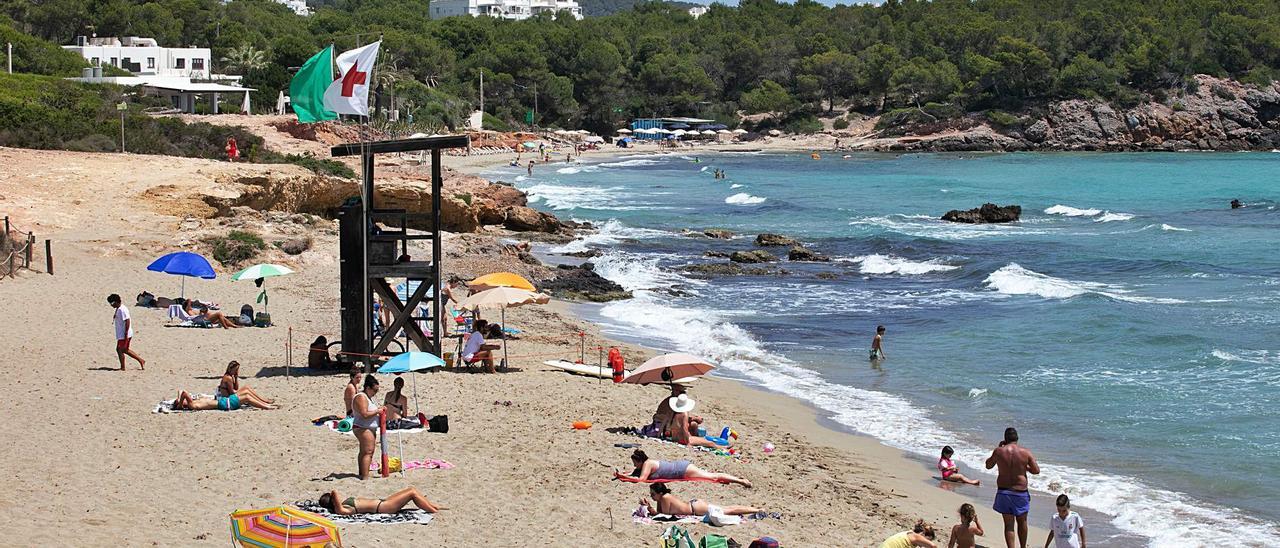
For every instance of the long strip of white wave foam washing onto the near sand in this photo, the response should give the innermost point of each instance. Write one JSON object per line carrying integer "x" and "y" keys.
{"x": 1164, "y": 517}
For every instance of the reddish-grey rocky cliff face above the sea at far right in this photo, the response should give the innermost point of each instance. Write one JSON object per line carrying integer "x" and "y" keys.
{"x": 1218, "y": 115}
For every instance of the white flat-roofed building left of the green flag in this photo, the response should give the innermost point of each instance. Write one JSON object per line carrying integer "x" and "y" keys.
{"x": 144, "y": 57}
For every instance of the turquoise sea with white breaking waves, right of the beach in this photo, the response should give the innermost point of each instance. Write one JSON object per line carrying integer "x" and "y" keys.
{"x": 1127, "y": 326}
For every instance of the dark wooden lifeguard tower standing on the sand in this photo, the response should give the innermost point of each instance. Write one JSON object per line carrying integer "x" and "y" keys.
{"x": 373, "y": 243}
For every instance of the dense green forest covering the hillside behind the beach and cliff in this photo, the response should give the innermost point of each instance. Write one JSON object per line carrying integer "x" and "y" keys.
{"x": 789, "y": 61}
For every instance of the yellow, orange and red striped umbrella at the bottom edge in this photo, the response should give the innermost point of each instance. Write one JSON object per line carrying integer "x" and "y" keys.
{"x": 284, "y": 527}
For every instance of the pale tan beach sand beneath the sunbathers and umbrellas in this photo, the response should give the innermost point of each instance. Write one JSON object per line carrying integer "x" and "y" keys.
{"x": 92, "y": 465}
